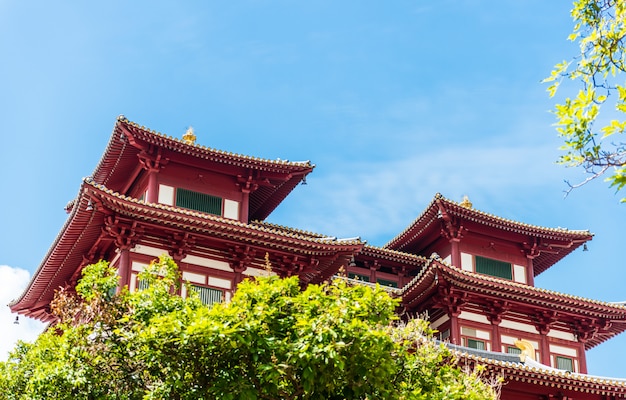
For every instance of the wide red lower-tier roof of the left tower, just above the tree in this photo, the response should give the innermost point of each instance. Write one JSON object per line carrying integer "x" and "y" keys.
{"x": 84, "y": 229}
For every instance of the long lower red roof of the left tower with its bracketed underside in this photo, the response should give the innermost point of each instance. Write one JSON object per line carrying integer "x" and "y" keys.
{"x": 97, "y": 213}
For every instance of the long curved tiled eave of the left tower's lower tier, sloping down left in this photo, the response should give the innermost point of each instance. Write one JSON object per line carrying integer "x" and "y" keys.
{"x": 84, "y": 227}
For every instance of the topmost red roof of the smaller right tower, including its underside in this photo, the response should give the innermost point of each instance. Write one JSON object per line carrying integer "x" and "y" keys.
{"x": 549, "y": 244}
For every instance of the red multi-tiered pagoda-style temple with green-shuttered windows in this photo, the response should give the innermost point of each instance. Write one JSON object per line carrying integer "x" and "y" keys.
{"x": 470, "y": 272}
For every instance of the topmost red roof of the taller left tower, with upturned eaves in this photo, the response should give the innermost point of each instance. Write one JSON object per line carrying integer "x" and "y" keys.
{"x": 129, "y": 139}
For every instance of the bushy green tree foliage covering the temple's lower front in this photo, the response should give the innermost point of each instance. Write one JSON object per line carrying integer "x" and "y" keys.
{"x": 272, "y": 341}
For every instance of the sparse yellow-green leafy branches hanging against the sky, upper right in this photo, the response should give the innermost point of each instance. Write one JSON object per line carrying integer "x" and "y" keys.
{"x": 593, "y": 140}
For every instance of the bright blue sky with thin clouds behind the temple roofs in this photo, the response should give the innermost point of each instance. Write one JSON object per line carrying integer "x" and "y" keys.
{"x": 393, "y": 101}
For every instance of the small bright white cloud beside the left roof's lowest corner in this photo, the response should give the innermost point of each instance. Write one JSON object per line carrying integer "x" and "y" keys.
{"x": 12, "y": 283}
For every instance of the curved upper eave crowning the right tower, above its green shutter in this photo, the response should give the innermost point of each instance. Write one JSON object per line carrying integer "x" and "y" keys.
{"x": 428, "y": 222}
